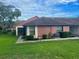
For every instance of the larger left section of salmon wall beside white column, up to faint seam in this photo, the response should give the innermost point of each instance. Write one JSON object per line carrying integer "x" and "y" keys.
{"x": 43, "y": 30}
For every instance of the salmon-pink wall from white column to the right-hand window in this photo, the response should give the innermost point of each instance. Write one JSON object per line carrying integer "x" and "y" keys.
{"x": 46, "y": 30}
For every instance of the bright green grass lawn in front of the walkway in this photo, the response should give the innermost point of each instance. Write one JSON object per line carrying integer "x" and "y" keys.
{"x": 68, "y": 49}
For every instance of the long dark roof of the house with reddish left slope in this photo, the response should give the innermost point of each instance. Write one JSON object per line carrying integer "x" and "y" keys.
{"x": 38, "y": 21}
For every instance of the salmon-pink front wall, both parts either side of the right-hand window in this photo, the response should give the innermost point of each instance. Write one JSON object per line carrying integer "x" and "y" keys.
{"x": 53, "y": 29}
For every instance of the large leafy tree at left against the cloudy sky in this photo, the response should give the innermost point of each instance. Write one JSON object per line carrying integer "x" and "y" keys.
{"x": 7, "y": 14}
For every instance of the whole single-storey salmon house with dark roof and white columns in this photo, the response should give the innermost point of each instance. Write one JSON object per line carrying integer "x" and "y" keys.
{"x": 39, "y": 26}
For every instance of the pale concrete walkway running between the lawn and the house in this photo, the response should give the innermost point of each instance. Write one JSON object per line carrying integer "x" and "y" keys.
{"x": 55, "y": 39}
